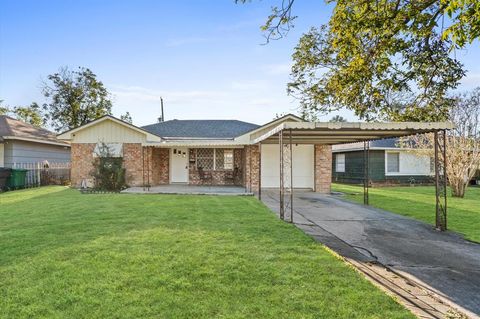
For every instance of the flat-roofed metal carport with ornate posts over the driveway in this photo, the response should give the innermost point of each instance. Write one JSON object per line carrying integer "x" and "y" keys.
{"x": 288, "y": 134}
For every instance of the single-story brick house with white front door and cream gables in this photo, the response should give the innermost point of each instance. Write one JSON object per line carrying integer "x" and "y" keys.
{"x": 197, "y": 152}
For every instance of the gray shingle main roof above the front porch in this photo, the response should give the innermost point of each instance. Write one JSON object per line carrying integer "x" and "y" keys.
{"x": 221, "y": 129}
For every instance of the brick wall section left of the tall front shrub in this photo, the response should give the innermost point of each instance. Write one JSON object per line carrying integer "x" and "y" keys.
{"x": 82, "y": 162}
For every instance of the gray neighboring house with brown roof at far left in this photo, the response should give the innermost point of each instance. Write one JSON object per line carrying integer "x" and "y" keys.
{"x": 21, "y": 142}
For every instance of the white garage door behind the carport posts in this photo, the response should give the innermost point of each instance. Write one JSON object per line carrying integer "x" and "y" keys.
{"x": 303, "y": 176}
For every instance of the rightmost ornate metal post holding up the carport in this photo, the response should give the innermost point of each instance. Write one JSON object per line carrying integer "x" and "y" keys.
{"x": 440, "y": 145}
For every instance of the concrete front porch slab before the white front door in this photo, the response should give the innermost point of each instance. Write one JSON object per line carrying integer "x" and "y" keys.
{"x": 190, "y": 190}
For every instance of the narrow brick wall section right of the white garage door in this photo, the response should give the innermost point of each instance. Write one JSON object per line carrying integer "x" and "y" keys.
{"x": 323, "y": 168}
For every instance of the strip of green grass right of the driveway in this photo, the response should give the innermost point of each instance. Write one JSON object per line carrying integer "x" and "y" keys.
{"x": 419, "y": 202}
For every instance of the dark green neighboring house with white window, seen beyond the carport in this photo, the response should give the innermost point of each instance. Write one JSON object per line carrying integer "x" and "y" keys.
{"x": 388, "y": 164}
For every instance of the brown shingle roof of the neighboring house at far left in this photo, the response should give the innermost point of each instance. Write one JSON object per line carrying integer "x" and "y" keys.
{"x": 15, "y": 128}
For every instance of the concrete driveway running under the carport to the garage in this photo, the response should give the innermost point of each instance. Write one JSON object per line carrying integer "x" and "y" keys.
{"x": 442, "y": 261}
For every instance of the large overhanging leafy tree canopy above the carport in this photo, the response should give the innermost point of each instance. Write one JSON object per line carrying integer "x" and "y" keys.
{"x": 383, "y": 59}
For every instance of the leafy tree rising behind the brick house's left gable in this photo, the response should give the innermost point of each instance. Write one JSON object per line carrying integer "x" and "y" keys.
{"x": 75, "y": 97}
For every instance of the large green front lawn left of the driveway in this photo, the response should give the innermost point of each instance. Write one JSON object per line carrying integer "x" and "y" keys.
{"x": 67, "y": 255}
